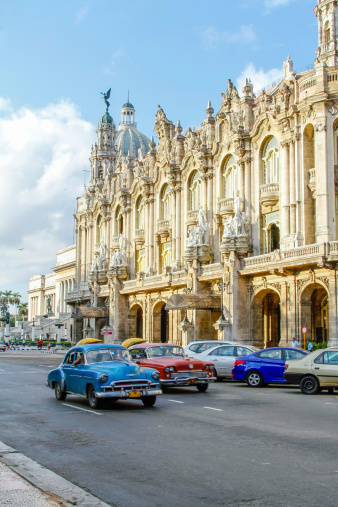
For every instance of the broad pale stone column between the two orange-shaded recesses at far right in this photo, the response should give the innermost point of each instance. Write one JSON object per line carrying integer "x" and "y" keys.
{"x": 322, "y": 205}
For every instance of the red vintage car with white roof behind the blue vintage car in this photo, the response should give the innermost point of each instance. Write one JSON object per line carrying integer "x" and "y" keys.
{"x": 174, "y": 367}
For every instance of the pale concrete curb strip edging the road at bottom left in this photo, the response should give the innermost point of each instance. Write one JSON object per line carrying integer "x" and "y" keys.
{"x": 48, "y": 481}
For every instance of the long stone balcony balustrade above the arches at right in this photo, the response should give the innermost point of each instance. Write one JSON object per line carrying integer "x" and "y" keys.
{"x": 281, "y": 261}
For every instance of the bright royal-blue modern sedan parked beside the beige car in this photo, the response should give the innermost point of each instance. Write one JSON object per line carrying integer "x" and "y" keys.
{"x": 264, "y": 366}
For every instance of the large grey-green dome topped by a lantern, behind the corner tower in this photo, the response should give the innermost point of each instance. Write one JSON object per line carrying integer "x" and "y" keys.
{"x": 128, "y": 138}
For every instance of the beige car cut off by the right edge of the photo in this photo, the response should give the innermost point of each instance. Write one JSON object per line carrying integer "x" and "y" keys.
{"x": 315, "y": 372}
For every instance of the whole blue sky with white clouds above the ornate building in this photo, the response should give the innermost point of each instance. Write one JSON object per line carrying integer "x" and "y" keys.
{"x": 56, "y": 59}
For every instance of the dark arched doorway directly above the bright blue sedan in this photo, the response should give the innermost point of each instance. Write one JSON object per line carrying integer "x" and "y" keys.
{"x": 266, "y": 319}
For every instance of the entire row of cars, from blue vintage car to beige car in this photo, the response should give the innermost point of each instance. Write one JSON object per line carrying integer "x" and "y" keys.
{"x": 145, "y": 370}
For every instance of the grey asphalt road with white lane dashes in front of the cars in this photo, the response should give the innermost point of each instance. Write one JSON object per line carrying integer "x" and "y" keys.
{"x": 232, "y": 446}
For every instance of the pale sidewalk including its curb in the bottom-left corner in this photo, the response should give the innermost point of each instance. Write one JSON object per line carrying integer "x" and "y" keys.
{"x": 23, "y": 482}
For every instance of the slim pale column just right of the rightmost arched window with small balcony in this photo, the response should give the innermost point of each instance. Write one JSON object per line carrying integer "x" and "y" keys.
{"x": 285, "y": 191}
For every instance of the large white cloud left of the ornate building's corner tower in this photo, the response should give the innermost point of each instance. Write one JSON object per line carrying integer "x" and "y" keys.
{"x": 42, "y": 155}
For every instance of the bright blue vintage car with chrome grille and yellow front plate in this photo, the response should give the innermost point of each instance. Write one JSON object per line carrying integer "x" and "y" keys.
{"x": 104, "y": 371}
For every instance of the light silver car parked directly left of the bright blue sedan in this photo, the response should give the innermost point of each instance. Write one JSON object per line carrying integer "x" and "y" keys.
{"x": 224, "y": 356}
